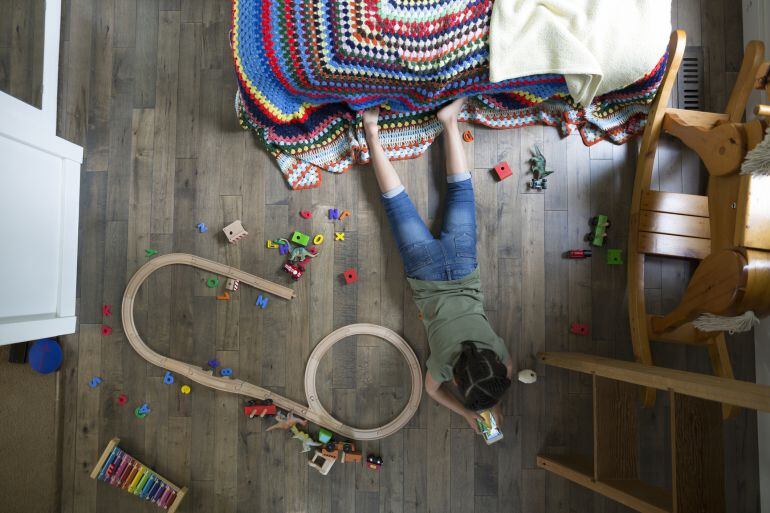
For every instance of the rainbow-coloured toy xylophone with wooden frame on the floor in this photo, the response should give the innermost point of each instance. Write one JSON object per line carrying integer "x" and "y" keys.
{"x": 121, "y": 470}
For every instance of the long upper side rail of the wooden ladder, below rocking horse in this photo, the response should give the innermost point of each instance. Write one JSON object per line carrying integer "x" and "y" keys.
{"x": 740, "y": 393}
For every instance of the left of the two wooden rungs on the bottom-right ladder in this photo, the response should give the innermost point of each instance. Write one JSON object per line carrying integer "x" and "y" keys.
{"x": 615, "y": 429}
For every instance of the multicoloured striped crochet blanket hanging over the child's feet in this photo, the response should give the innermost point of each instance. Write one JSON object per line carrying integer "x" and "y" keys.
{"x": 306, "y": 68}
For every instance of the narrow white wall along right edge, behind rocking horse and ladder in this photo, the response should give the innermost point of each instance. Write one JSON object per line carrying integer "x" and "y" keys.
{"x": 756, "y": 25}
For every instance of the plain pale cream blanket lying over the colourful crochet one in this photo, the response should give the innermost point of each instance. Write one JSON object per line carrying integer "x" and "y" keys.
{"x": 598, "y": 45}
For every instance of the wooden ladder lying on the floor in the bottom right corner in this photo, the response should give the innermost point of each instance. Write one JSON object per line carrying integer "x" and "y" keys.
{"x": 696, "y": 434}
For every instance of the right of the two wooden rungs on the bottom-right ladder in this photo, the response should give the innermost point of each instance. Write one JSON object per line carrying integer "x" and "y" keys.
{"x": 697, "y": 454}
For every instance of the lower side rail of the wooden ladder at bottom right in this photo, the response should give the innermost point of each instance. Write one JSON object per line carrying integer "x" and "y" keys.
{"x": 633, "y": 493}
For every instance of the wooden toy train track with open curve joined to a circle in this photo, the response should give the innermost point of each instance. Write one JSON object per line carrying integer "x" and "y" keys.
{"x": 314, "y": 412}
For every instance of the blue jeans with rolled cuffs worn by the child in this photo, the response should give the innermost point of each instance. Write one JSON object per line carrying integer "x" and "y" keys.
{"x": 450, "y": 257}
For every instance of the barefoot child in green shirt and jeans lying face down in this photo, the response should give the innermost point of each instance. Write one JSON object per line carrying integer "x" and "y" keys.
{"x": 444, "y": 276}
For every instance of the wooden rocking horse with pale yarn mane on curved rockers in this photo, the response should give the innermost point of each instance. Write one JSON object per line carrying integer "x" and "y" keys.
{"x": 728, "y": 230}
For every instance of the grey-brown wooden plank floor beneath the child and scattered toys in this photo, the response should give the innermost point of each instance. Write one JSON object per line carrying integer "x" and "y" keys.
{"x": 147, "y": 87}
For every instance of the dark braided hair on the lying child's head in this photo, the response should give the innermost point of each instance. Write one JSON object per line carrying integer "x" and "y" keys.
{"x": 481, "y": 377}
